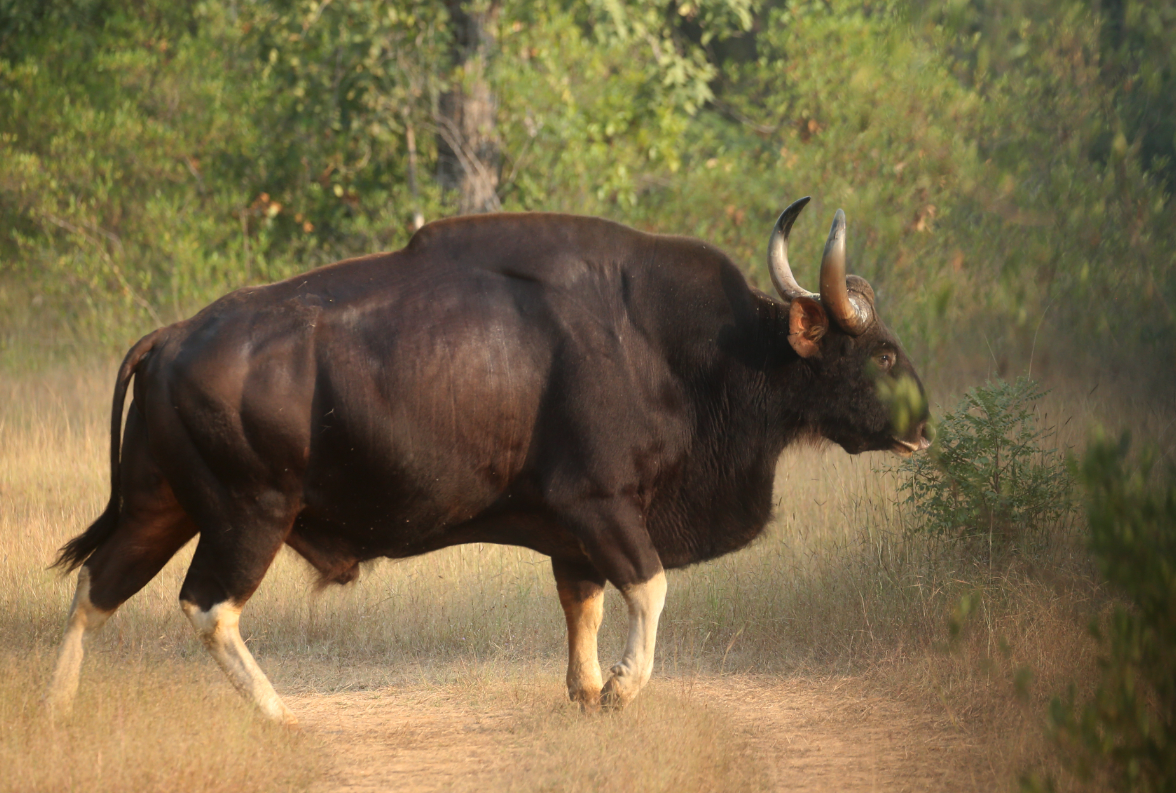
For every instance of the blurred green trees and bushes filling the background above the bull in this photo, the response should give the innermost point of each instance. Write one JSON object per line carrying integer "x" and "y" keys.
{"x": 1007, "y": 165}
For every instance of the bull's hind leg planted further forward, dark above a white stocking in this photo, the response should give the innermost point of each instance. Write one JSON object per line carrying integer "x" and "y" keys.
{"x": 226, "y": 570}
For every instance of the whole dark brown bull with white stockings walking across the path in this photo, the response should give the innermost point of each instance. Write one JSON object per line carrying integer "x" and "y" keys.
{"x": 613, "y": 399}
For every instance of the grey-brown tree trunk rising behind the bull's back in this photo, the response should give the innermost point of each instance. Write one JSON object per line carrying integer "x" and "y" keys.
{"x": 469, "y": 158}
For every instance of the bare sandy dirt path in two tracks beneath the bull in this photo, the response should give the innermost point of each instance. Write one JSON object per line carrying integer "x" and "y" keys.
{"x": 808, "y": 736}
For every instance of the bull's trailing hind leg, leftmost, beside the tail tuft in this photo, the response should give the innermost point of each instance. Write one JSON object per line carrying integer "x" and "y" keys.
{"x": 151, "y": 529}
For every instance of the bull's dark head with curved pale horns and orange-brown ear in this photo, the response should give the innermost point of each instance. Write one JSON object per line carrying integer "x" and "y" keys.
{"x": 873, "y": 398}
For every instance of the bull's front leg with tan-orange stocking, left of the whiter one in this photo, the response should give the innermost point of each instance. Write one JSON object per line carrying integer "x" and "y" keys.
{"x": 582, "y": 591}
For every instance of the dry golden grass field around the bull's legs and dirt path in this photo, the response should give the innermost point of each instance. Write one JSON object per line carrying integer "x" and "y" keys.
{"x": 833, "y": 589}
